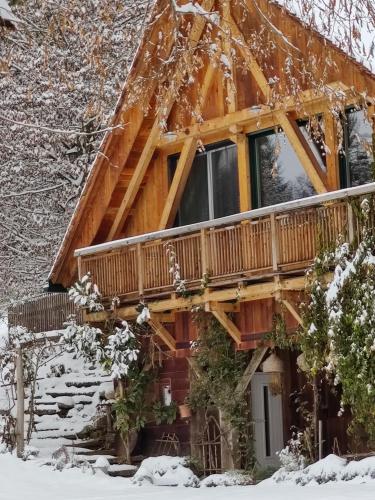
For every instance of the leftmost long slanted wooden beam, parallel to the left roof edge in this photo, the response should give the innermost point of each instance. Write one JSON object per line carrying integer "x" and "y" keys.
{"x": 152, "y": 140}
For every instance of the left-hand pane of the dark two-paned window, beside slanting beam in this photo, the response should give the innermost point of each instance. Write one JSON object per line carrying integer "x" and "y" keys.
{"x": 194, "y": 202}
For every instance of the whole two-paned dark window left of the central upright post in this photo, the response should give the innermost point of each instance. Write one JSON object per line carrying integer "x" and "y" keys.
{"x": 211, "y": 190}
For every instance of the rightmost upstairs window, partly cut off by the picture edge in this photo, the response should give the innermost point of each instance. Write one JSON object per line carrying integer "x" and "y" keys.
{"x": 356, "y": 157}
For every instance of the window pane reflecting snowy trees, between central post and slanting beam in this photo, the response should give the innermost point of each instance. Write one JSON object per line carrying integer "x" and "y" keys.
{"x": 280, "y": 175}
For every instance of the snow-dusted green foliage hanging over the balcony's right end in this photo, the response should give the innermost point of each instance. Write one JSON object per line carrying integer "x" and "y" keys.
{"x": 339, "y": 324}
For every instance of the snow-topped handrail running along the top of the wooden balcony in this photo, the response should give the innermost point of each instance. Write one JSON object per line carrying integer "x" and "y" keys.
{"x": 228, "y": 220}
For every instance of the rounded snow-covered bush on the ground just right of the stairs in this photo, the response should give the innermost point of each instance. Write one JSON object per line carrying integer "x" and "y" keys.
{"x": 165, "y": 471}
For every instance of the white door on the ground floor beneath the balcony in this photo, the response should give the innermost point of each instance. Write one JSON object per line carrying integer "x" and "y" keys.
{"x": 268, "y": 420}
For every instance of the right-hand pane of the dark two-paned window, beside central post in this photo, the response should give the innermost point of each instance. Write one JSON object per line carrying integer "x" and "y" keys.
{"x": 225, "y": 182}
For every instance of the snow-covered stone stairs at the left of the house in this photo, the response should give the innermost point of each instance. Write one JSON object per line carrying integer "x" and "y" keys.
{"x": 66, "y": 410}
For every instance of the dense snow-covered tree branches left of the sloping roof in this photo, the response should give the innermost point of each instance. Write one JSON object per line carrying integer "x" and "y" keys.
{"x": 61, "y": 71}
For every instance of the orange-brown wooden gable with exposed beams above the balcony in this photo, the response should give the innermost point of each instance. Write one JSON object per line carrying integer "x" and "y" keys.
{"x": 128, "y": 192}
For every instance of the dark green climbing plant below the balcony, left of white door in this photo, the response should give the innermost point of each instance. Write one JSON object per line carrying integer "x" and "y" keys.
{"x": 220, "y": 368}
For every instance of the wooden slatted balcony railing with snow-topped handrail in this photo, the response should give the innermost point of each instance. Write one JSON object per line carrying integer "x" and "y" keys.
{"x": 280, "y": 238}
